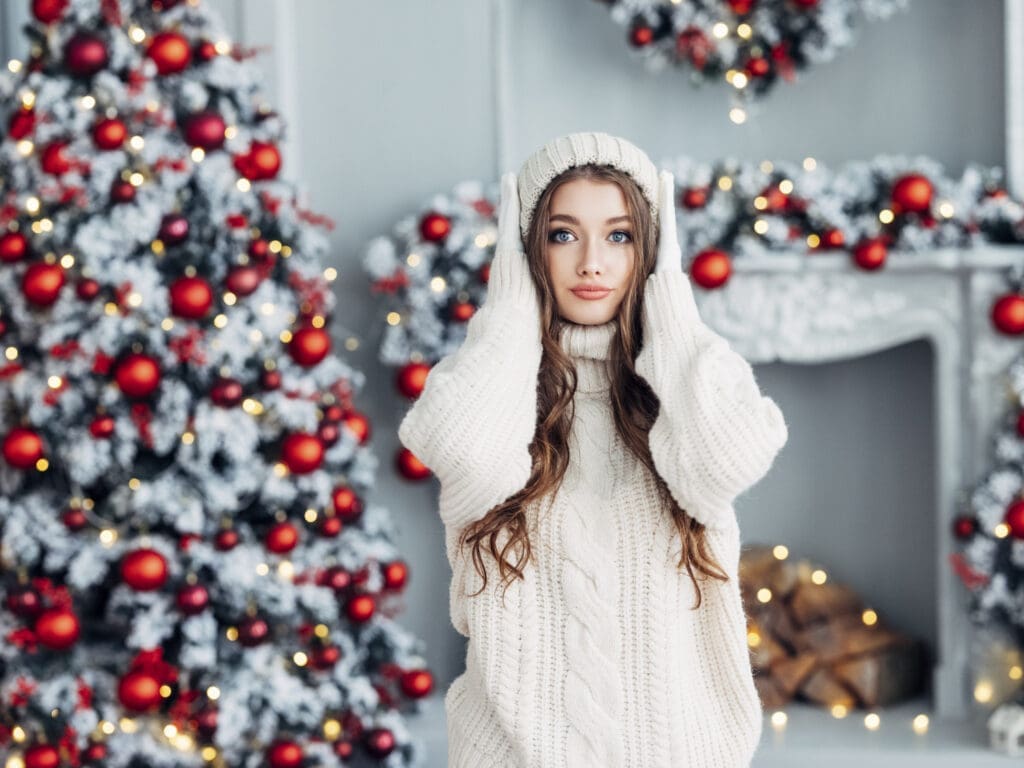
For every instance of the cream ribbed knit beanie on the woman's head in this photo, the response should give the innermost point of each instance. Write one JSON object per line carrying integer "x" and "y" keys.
{"x": 581, "y": 149}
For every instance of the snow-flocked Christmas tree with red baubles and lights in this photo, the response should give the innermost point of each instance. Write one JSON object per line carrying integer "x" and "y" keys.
{"x": 192, "y": 575}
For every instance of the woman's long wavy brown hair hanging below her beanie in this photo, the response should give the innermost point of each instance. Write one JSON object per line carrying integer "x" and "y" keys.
{"x": 634, "y": 404}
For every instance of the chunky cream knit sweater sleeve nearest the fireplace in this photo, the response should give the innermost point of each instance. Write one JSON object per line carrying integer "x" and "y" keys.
{"x": 716, "y": 435}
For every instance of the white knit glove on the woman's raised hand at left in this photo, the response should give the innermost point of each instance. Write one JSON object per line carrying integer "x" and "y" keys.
{"x": 510, "y": 281}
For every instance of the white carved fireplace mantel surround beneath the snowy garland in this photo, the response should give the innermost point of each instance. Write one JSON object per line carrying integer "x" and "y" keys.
{"x": 820, "y": 308}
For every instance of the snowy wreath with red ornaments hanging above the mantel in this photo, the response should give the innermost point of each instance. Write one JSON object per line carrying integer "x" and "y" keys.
{"x": 748, "y": 45}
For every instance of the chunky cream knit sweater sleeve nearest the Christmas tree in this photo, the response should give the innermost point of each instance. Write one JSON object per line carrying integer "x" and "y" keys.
{"x": 477, "y": 416}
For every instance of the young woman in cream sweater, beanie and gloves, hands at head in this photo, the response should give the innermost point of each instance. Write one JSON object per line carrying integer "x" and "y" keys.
{"x": 590, "y": 437}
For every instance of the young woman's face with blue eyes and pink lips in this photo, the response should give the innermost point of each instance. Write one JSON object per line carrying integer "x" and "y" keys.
{"x": 589, "y": 243}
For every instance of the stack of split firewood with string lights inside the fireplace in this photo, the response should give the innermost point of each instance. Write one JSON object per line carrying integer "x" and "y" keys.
{"x": 820, "y": 642}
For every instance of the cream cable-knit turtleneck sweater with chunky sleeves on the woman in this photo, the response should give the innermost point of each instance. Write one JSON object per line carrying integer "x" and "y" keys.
{"x": 596, "y": 660}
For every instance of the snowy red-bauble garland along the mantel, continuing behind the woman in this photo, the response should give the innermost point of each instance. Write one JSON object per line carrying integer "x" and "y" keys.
{"x": 434, "y": 268}
